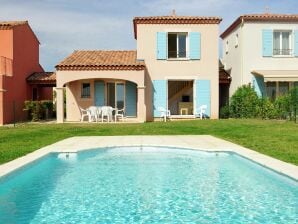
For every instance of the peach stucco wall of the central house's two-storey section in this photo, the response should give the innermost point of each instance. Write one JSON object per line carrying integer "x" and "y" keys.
{"x": 205, "y": 68}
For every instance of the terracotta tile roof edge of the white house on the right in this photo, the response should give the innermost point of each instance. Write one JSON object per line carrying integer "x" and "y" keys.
{"x": 266, "y": 17}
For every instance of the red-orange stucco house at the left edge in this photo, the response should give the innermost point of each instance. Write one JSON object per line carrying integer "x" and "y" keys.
{"x": 20, "y": 71}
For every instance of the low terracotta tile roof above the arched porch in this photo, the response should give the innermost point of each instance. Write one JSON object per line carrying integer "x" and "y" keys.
{"x": 101, "y": 60}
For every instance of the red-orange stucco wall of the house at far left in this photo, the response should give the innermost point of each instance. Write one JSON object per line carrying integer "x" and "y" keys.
{"x": 21, "y": 45}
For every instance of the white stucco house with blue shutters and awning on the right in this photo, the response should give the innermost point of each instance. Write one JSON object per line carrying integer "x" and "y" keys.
{"x": 262, "y": 49}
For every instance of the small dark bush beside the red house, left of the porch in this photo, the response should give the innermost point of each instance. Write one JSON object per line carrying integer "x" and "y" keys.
{"x": 39, "y": 109}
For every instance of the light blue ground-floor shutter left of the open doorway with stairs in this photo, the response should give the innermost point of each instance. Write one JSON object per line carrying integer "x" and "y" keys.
{"x": 159, "y": 96}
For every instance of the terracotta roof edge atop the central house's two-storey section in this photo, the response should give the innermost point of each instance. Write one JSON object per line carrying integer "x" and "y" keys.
{"x": 173, "y": 19}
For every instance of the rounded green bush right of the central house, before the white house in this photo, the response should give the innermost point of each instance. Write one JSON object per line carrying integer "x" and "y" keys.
{"x": 244, "y": 102}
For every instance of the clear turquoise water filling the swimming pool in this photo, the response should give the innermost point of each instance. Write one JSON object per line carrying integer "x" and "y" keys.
{"x": 147, "y": 185}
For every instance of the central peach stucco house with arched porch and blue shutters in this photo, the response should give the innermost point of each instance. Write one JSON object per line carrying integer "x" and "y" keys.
{"x": 175, "y": 66}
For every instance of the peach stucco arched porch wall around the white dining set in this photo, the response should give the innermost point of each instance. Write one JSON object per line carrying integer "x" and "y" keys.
{"x": 72, "y": 81}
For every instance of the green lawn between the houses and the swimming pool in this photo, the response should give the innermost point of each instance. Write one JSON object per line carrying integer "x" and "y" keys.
{"x": 278, "y": 139}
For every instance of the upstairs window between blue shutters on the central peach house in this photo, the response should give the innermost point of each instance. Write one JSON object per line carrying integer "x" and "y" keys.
{"x": 177, "y": 45}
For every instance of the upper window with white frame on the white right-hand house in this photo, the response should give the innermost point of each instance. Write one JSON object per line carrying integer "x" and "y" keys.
{"x": 282, "y": 43}
